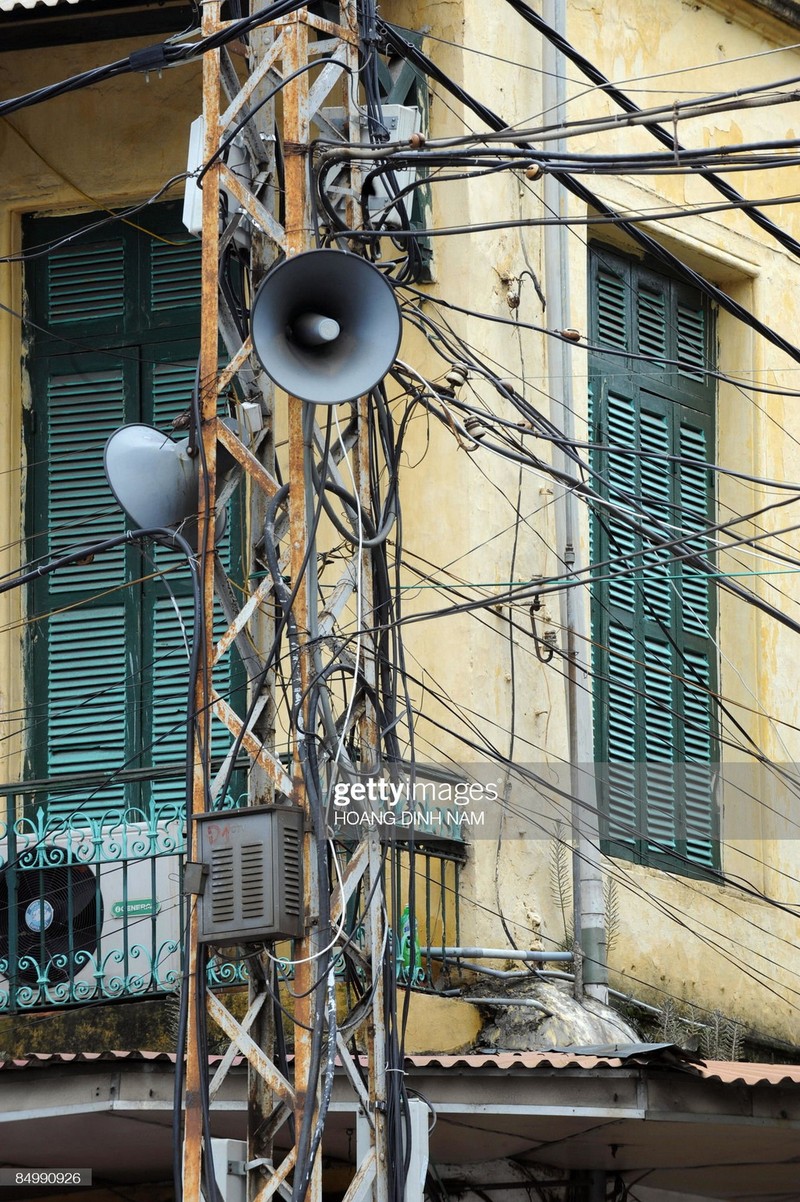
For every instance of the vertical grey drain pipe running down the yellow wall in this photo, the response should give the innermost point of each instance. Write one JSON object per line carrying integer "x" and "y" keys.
{"x": 588, "y": 880}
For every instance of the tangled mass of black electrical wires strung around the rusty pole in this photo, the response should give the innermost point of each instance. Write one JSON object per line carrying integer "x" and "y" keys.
{"x": 313, "y": 664}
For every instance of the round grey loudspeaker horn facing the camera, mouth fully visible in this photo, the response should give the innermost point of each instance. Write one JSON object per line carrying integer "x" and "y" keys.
{"x": 326, "y": 326}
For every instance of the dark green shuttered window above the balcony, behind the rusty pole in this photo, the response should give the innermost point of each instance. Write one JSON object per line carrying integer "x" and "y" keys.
{"x": 114, "y": 338}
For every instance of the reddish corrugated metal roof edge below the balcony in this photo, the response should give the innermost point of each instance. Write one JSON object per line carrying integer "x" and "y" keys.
{"x": 727, "y": 1073}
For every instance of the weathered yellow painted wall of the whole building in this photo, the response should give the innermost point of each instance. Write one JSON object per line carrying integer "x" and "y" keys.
{"x": 714, "y": 949}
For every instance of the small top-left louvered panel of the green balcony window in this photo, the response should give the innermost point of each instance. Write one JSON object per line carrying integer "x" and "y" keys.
{"x": 86, "y": 284}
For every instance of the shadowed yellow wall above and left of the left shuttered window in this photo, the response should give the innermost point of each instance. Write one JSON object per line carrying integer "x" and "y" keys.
{"x": 109, "y": 146}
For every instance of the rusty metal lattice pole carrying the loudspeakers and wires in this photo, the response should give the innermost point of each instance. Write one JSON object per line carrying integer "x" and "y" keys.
{"x": 278, "y": 59}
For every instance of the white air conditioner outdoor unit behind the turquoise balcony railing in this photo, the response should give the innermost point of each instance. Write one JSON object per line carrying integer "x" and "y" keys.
{"x": 85, "y": 919}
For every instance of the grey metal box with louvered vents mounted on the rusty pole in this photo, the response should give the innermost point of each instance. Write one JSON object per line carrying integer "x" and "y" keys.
{"x": 254, "y": 888}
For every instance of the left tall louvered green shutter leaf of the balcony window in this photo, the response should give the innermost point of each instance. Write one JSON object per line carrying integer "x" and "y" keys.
{"x": 81, "y": 615}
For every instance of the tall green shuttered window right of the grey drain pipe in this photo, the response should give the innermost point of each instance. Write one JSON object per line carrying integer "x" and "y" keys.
{"x": 654, "y": 615}
